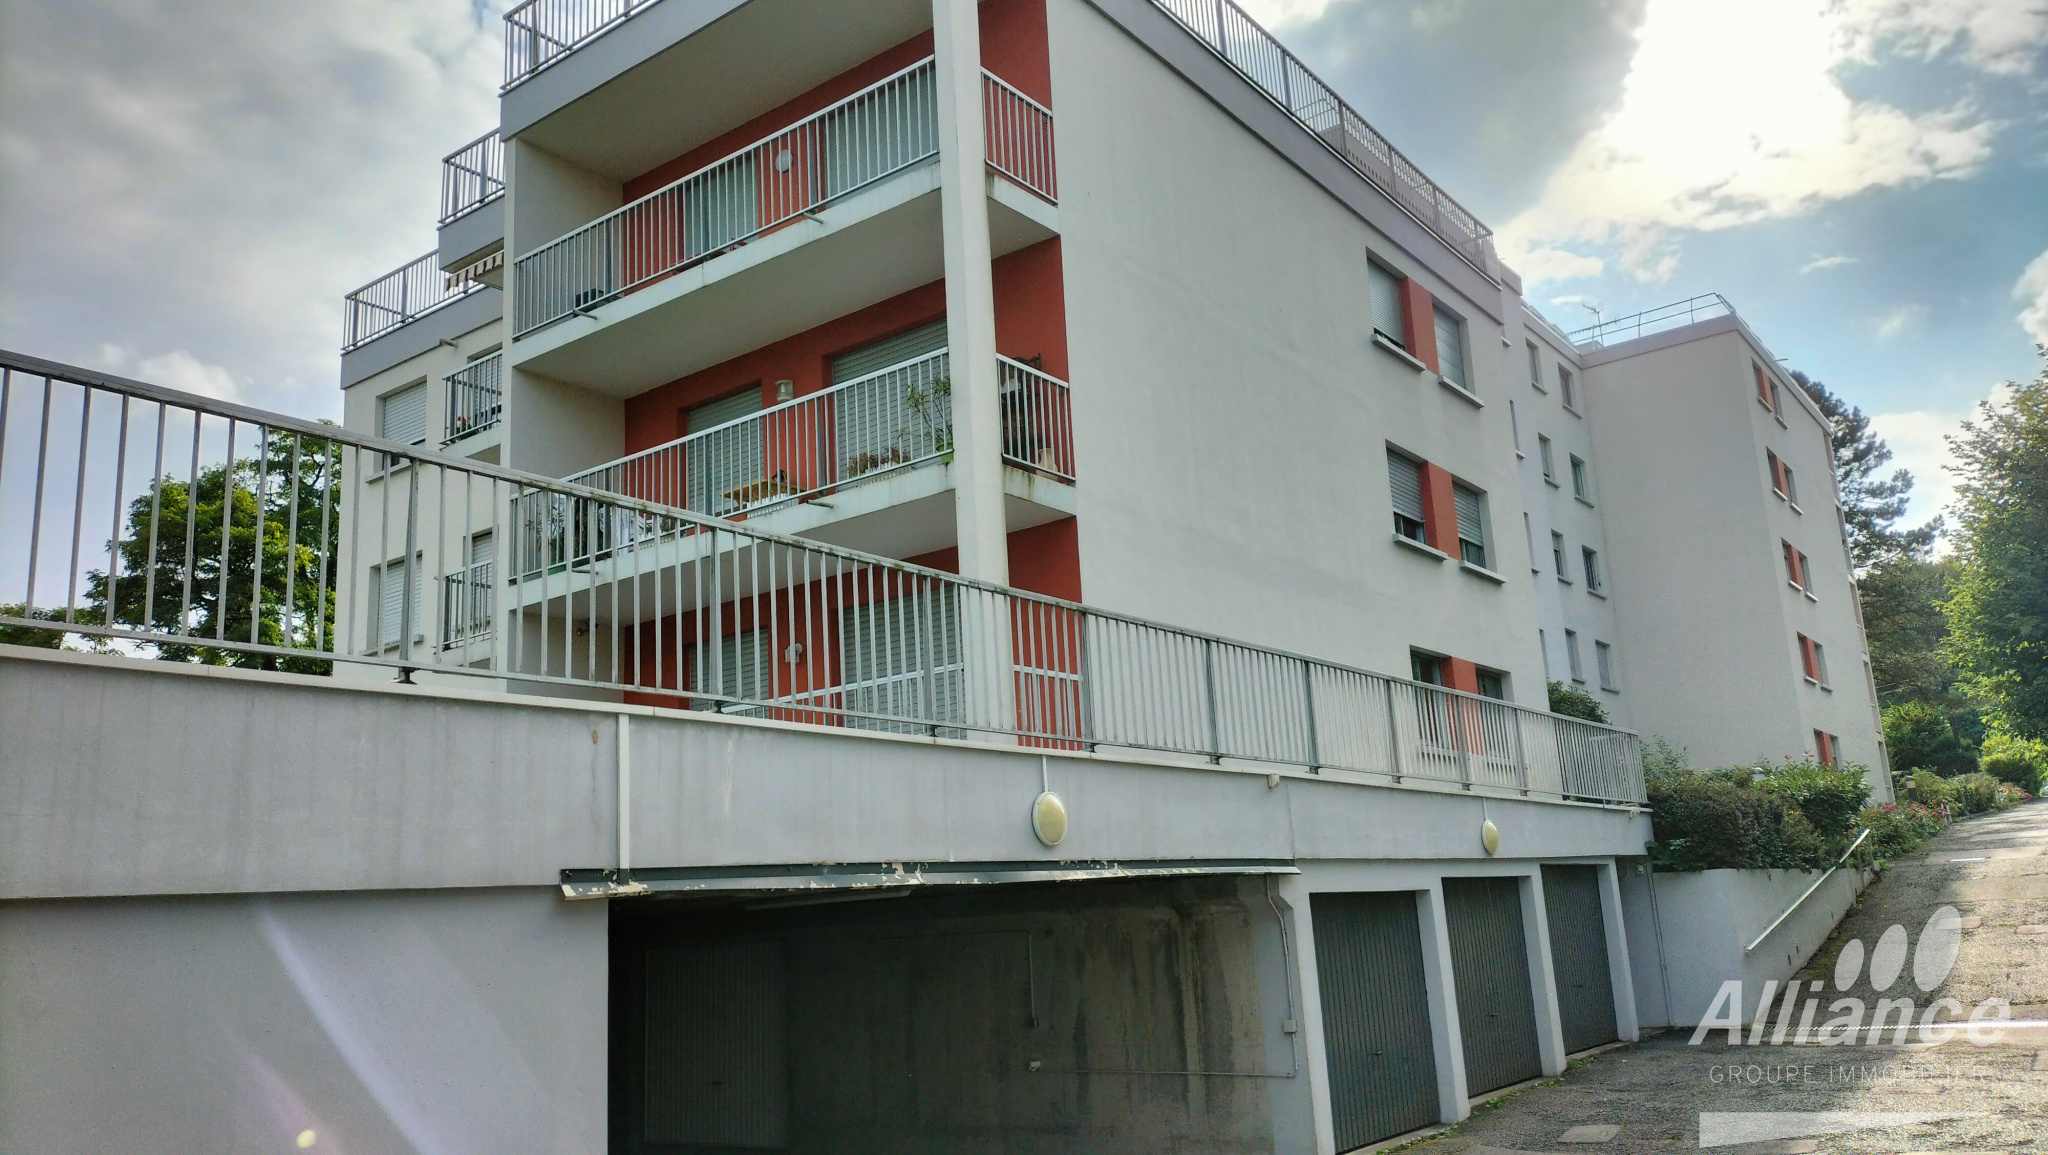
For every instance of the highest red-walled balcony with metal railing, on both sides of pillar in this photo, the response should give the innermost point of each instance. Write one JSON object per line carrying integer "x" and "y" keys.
{"x": 808, "y": 224}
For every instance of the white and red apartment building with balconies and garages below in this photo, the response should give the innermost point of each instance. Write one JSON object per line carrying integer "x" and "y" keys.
{"x": 1048, "y": 464}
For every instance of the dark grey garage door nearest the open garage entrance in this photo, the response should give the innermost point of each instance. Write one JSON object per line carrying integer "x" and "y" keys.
{"x": 1375, "y": 1015}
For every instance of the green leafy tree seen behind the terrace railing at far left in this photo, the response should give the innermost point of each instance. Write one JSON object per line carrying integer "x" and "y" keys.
{"x": 161, "y": 599}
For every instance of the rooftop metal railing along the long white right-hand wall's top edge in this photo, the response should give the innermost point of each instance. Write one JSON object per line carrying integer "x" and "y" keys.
{"x": 1228, "y": 32}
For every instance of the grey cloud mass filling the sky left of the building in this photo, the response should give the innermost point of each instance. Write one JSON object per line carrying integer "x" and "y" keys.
{"x": 212, "y": 179}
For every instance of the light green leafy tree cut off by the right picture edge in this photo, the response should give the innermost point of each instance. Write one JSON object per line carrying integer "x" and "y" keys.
{"x": 1998, "y": 613}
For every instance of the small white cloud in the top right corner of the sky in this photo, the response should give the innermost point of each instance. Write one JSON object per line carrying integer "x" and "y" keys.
{"x": 2002, "y": 38}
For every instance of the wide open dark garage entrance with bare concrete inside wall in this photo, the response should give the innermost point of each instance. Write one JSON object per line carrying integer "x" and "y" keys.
{"x": 1062, "y": 1017}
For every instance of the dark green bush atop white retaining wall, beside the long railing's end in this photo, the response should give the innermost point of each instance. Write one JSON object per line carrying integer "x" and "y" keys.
{"x": 1705, "y": 822}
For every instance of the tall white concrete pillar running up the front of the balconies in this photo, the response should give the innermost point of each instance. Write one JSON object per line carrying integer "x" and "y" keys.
{"x": 978, "y": 466}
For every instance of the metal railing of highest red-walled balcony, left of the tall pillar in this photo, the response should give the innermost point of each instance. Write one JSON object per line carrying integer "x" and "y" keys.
{"x": 882, "y": 130}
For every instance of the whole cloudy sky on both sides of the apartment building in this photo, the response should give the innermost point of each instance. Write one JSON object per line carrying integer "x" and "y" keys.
{"x": 189, "y": 187}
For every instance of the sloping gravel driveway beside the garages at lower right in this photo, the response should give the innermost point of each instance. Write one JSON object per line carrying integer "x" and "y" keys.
{"x": 1994, "y": 869}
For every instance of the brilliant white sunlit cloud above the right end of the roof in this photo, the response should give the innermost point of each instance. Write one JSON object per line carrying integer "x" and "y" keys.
{"x": 1734, "y": 116}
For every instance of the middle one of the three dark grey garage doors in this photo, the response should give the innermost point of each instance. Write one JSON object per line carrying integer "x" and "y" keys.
{"x": 1492, "y": 976}
